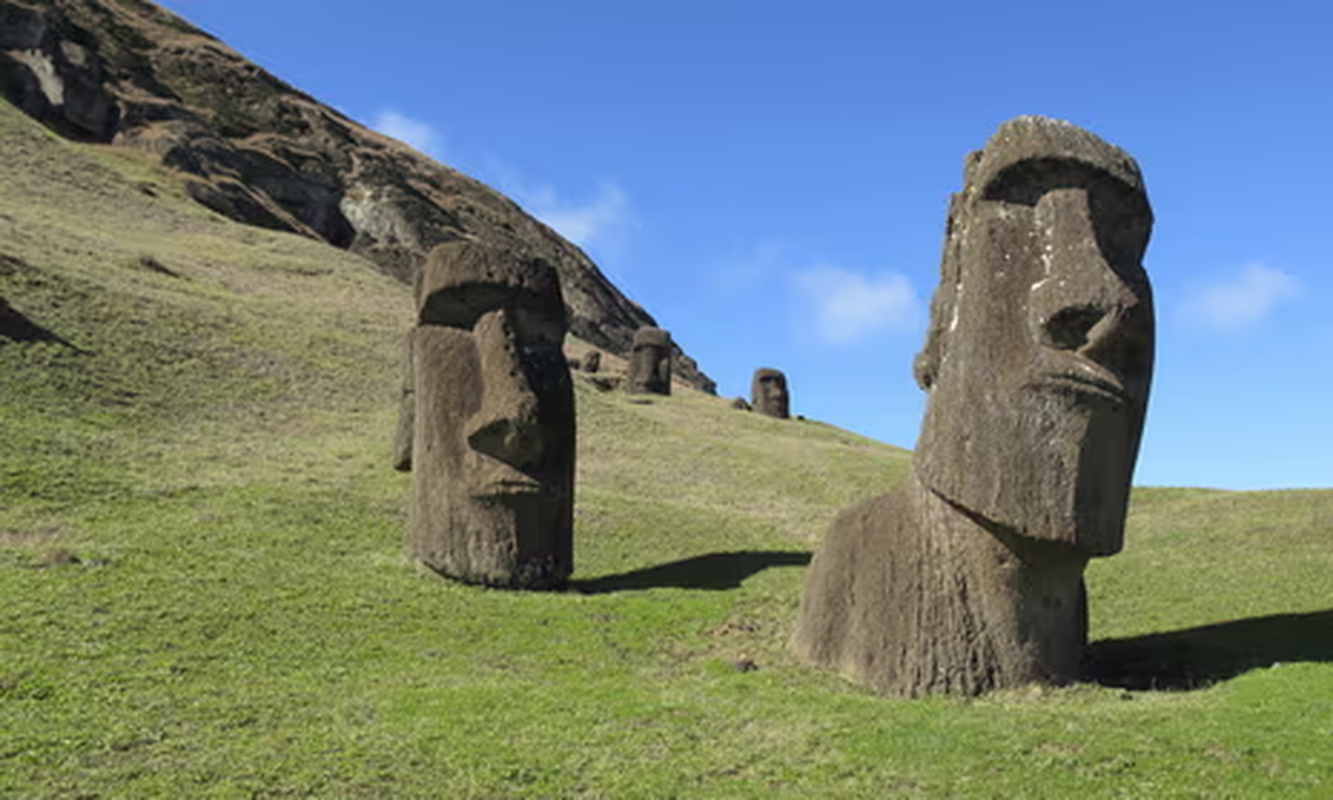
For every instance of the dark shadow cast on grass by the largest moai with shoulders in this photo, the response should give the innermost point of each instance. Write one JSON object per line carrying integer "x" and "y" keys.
{"x": 1196, "y": 658}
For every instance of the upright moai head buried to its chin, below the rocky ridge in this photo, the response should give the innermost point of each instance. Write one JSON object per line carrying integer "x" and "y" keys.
{"x": 494, "y": 429}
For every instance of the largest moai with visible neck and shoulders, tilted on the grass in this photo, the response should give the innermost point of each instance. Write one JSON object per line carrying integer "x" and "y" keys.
{"x": 1038, "y": 363}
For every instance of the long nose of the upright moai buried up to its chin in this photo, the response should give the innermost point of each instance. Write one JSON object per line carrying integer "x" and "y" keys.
{"x": 507, "y": 425}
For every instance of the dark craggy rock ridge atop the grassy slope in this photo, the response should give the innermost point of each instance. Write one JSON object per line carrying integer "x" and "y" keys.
{"x": 259, "y": 151}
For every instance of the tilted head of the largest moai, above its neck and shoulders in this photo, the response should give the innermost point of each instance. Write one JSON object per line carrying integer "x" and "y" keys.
{"x": 1040, "y": 350}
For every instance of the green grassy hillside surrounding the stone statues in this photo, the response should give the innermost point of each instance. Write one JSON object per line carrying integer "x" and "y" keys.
{"x": 205, "y": 591}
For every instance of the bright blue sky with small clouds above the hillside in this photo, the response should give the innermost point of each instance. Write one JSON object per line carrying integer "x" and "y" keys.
{"x": 771, "y": 179}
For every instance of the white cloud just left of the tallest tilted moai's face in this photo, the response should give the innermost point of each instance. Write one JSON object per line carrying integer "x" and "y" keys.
{"x": 850, "y": 307}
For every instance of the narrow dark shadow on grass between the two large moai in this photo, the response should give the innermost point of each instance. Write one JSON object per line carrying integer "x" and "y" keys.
{"x": 714, "y": 571}
